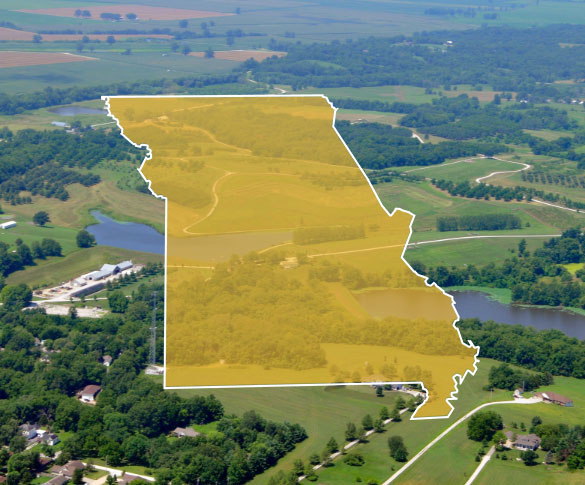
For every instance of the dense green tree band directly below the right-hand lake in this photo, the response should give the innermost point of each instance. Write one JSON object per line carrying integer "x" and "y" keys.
{"x": 545, "y": 351}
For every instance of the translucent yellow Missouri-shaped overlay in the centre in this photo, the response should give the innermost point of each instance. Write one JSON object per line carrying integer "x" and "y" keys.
{"x": 282, "y": 266}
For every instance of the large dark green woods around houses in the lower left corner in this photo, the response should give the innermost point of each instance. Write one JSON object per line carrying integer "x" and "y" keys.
{"x": 133, "y": 414}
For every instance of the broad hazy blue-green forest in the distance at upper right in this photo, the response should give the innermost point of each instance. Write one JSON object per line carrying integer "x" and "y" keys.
{"x": 512, "y": 60}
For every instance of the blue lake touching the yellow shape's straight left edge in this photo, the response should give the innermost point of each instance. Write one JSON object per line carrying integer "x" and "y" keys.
{"x": 126, "y": 235}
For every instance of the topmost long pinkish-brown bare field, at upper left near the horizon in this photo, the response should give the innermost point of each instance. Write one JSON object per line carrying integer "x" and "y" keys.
{"x": 143, "y": 12}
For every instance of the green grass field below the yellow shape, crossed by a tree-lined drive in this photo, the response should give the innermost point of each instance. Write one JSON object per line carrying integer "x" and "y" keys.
{"x": 324, "y": 412}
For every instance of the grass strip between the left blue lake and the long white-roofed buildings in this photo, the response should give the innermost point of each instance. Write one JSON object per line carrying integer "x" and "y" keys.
{"x": 57, "y": 270}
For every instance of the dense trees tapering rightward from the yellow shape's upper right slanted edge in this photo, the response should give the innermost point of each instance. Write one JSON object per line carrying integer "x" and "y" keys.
{"x": 378, "y": 146}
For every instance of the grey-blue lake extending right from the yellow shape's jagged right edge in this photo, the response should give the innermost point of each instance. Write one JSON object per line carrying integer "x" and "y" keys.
{"x": 474, "y": 304}
